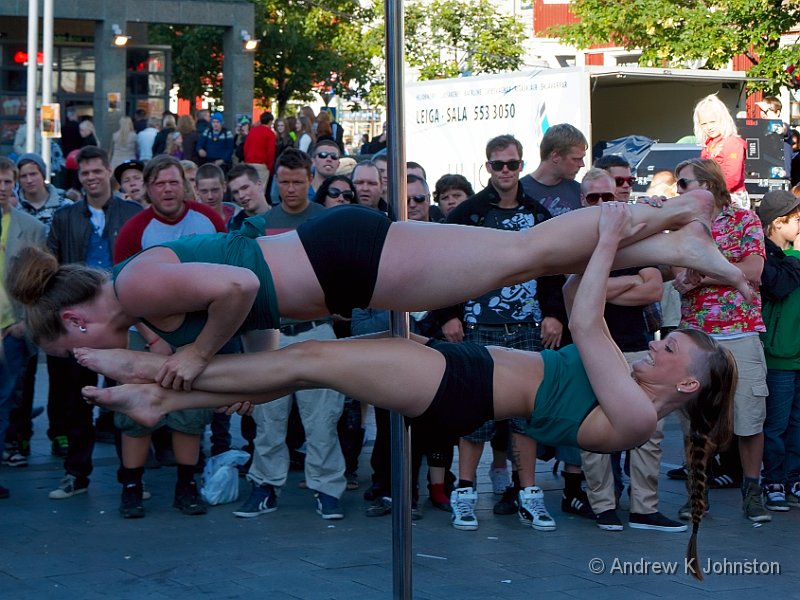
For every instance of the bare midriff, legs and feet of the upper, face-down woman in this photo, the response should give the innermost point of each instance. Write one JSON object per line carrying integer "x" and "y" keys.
{"x": 474, "y": 260}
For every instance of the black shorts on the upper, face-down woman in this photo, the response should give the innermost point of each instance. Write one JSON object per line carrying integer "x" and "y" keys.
{"x": 344, "y": 247}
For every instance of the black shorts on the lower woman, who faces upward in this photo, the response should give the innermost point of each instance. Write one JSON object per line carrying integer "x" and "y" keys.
{"x": 465, "y": 398}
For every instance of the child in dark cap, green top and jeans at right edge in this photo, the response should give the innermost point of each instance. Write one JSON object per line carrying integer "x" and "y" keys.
{"x": 780, "y": 281}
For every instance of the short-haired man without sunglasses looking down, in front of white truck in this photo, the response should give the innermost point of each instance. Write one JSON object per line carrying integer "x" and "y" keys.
{"x": 562, "y": 151}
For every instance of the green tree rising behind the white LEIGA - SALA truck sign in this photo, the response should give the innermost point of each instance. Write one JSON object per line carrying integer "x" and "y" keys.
{"x": 448, "y": 38}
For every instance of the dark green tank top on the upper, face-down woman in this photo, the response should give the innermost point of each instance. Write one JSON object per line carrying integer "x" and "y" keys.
{"x": 236, "y": 249}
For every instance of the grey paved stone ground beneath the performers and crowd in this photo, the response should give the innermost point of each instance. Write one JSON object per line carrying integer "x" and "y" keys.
{"x": 80, "y": 548}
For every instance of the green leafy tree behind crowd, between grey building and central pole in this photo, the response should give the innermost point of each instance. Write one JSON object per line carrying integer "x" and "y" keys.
{"x": 308, "y": 45}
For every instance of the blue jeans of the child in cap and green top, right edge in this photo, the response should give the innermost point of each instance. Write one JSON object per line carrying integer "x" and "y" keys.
{"x": 782, "y": 428}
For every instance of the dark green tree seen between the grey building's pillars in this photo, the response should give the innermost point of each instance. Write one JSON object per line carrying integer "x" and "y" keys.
{"x": 196, "y": 58}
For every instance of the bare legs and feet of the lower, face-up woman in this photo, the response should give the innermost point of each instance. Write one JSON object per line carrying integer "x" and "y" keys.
{"x": 362, "y": 369}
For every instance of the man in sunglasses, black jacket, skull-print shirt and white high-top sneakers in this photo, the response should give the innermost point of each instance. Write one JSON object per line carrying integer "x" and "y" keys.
{"x": 526, "y": 317}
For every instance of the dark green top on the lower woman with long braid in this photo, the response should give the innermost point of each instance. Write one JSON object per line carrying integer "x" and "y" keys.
{"x": 564, "y": 399}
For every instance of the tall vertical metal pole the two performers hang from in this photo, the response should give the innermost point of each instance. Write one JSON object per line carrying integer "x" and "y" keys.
{"x": 401, "y": 441}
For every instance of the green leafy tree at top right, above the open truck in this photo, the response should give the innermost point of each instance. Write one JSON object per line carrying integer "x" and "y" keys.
{"x": 669, "y": 33}
